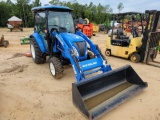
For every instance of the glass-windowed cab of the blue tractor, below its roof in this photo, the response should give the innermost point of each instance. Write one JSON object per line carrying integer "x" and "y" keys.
{"x": 61, "y": 20}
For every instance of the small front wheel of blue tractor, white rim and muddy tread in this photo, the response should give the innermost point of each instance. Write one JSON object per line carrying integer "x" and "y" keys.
{"x": 56, "y": 67}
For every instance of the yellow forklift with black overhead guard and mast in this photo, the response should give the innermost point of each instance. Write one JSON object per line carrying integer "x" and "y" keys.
{"x": 136, "y": 47}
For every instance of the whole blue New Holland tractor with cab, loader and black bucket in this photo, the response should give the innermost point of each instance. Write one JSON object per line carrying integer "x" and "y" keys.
{"x": 55, "y": 36}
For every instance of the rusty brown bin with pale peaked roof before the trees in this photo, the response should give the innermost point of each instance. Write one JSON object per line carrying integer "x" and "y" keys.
{"x": 15, "y": 24}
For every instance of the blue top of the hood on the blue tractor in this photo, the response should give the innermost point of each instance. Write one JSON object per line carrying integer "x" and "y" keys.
{"x": 71, "y": 37}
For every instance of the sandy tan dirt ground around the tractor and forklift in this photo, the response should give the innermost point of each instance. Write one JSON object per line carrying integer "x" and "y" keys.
{"x": 29, "y": 92}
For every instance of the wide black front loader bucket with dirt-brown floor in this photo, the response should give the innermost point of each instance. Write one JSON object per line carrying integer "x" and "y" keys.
{"x": 97, "y": 95}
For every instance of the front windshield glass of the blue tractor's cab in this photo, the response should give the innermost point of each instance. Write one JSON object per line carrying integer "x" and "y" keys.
{"x": 57, "y": 19}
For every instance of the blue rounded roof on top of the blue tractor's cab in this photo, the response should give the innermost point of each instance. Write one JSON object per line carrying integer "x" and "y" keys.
{"x": 51, "y": 7}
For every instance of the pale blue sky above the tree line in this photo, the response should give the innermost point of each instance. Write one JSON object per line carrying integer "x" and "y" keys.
{"x": 129, "y": 5}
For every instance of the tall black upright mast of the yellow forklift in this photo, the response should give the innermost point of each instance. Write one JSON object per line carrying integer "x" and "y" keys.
{"x": 151, "y": 37}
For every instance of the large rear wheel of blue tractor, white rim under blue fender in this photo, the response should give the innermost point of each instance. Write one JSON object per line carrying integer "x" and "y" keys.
{"x": 36, "y": 52}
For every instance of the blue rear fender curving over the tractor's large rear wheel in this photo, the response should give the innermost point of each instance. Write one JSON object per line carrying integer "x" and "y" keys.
{"x": 39, "y": 40}
